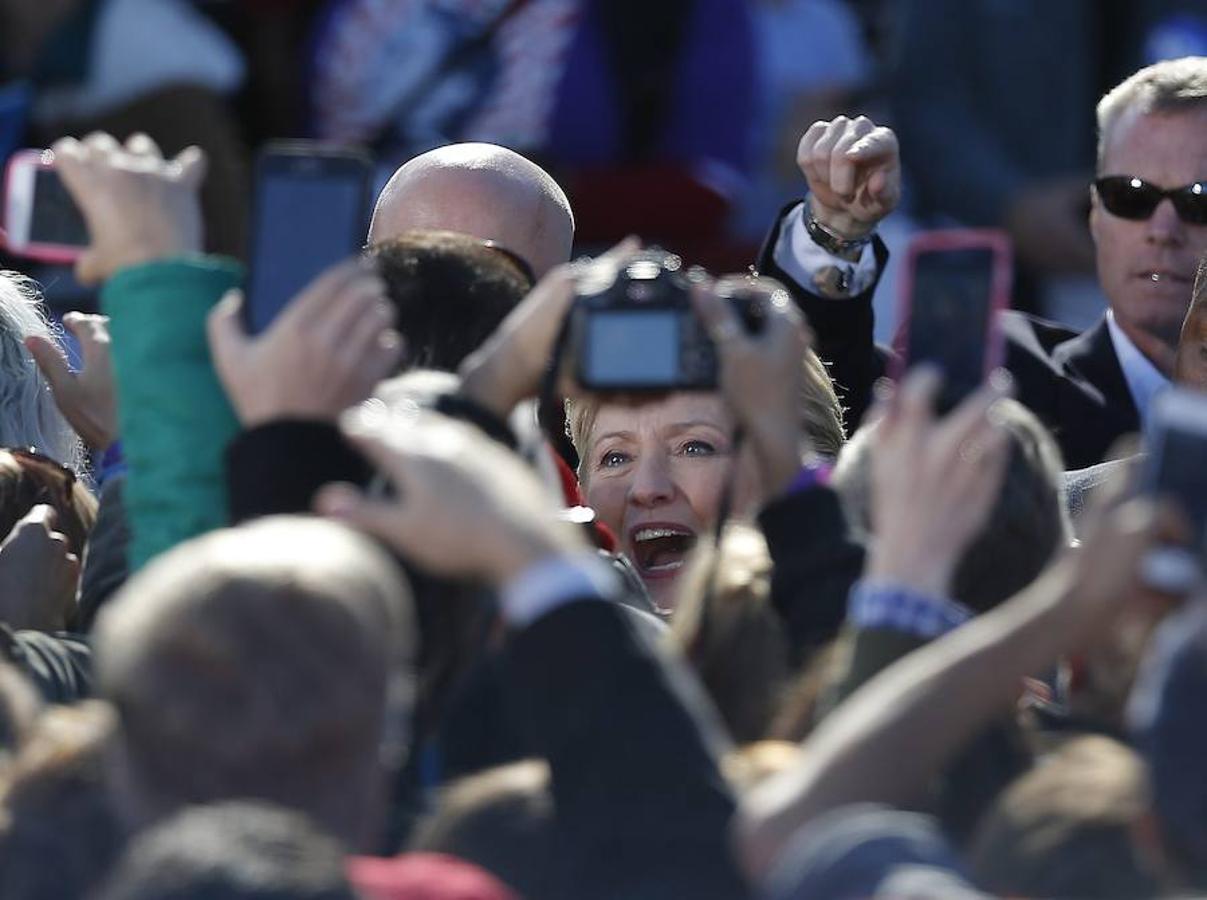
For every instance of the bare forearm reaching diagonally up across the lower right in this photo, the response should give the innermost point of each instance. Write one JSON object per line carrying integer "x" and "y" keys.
{"x": 897, "y": 732}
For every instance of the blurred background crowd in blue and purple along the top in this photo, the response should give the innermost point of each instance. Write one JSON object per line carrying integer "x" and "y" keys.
{"x": 678, "y": 119}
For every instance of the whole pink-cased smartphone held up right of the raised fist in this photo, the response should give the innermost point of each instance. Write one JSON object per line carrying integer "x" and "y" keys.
{"x": 955, "y": 287}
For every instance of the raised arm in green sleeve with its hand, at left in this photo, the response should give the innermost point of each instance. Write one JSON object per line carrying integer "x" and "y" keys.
{"x": 145, "y": 226}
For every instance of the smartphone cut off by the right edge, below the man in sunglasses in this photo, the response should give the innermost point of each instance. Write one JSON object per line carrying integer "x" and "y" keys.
{"x": 1176, "y": 467}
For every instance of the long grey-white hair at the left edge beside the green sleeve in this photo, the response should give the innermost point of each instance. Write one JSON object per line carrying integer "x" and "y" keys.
{"x": 28, "y": 413}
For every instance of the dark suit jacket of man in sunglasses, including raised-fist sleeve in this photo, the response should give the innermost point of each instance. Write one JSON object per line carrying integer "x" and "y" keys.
{"x": 1074, "y": 383}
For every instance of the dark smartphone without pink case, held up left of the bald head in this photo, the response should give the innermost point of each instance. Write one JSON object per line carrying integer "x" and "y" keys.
{"x": 305, "y": 223}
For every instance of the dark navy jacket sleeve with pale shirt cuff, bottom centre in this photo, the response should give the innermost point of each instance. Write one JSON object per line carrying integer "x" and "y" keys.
{"x": 643, "y": 810}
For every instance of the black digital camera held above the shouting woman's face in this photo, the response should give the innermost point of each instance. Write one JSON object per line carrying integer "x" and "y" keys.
{"x": 638, "y": 332}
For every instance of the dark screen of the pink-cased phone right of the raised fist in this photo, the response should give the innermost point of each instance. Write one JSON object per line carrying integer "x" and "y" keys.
{"x": 949, "y": 317}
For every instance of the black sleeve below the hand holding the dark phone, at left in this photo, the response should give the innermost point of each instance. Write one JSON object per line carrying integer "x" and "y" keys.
{"x": 277, "y": 469}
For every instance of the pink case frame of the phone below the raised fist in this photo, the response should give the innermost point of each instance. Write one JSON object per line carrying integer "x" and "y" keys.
{"x": 999, "y": 244}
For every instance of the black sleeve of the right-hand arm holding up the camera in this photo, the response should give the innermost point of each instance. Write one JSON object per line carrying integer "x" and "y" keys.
{"x": 817, "y": 560}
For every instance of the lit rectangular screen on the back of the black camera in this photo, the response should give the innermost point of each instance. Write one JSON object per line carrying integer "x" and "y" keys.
{"x": 627, "y": 348}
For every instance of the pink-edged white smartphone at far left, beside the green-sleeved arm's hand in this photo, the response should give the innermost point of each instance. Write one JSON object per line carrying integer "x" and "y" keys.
{"x": 40, "y": 219}
